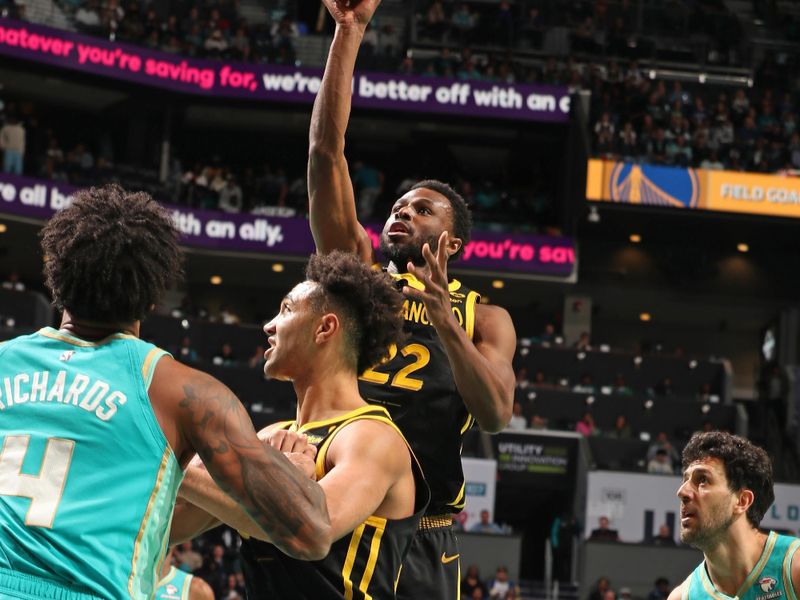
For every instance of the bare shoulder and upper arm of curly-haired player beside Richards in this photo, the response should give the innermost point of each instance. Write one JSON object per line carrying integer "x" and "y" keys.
{"x": 365, "y": 460}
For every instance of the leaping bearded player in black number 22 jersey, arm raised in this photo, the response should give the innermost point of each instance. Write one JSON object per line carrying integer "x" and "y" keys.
{"x": 455, "y": 369}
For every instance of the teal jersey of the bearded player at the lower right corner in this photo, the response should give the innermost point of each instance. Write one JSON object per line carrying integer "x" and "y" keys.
{"x": 770, "y": 579}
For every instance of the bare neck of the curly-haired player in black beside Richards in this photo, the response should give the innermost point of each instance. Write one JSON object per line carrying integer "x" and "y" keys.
{"x": 326, "y": 397}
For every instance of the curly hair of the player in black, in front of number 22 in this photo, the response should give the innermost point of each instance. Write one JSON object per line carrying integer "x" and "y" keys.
{"x": 366, "y": 301}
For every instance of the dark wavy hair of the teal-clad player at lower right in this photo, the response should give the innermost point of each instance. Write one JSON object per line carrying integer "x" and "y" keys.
{"x": 746, "y": 467}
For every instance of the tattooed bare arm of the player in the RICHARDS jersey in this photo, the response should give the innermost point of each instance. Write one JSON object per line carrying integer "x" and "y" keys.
{"x": 199, "y": 414}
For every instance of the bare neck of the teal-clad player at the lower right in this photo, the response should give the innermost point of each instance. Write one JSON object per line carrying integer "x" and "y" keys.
{"x": 731, "y": 560}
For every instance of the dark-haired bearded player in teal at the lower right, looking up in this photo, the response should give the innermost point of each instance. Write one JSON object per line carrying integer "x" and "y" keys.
{"x": 727, "y": 488}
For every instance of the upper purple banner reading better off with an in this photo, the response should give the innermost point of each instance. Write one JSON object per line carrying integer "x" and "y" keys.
{"x": 278, "y": 83}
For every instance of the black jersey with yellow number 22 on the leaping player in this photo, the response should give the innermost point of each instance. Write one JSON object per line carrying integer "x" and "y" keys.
{"x": 416, "y": 385}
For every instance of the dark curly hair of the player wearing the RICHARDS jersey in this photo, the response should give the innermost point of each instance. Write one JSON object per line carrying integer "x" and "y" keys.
{"x": 110, "y": 255}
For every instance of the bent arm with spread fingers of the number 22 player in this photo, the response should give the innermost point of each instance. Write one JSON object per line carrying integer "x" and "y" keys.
{"x": 482, "y": 366}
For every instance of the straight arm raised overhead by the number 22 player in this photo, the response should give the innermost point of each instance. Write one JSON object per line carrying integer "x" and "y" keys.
{"x": 332, "y": 209}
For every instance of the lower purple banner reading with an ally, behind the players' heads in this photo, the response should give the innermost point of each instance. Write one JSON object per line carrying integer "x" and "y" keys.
{"x": 520, "y": 254}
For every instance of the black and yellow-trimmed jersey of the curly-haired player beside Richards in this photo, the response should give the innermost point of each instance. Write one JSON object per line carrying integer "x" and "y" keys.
{"x": 363, "y": 564}
